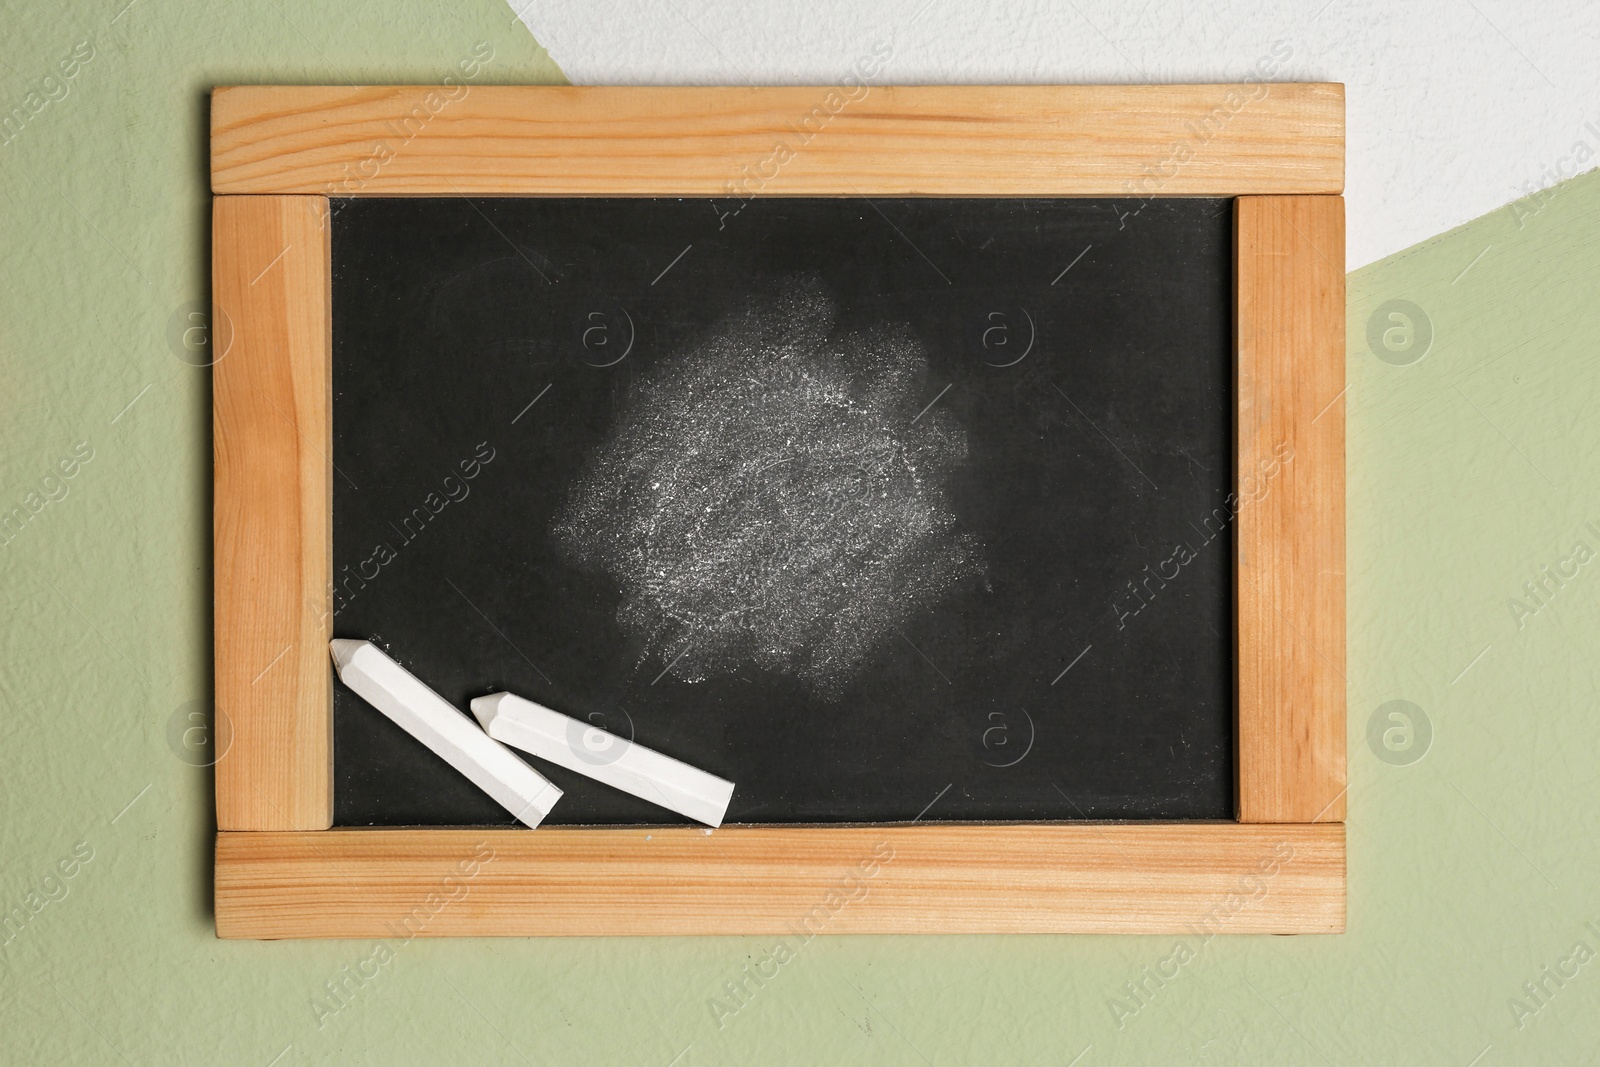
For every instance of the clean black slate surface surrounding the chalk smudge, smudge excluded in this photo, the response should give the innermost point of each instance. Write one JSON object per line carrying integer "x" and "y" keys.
{"x": 1098, "y": 428}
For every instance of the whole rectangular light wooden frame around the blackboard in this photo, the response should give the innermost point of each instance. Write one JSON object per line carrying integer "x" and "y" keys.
{"x": 278, "y": 153}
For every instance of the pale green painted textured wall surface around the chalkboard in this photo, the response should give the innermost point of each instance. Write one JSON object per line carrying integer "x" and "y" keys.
{"x": 1471, "y": 470}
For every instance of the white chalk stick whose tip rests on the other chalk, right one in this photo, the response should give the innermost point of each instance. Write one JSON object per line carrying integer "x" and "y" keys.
{"x": 604, "y": 757}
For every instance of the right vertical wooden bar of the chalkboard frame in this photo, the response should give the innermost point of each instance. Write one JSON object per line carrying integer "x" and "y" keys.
{"x": 1290, "y": 532}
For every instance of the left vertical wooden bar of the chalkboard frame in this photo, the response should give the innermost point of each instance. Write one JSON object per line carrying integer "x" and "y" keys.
{"x": 273, "y": 521}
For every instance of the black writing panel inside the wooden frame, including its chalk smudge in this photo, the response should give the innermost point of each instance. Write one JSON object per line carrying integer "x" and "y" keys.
{"x": 884, "y": 510}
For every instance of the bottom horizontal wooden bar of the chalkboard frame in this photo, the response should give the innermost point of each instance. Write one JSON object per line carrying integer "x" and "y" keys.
{"x": 783, "y": 881}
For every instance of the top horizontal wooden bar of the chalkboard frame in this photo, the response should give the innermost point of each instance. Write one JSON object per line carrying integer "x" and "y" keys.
{"x": 993, "y": 142}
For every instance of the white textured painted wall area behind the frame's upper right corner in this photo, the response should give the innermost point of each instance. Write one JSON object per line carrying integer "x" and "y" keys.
{"x": 1455, "y": 106}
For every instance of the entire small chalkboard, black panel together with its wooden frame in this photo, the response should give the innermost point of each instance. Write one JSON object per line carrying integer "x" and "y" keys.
{"x": 959, "y": 471}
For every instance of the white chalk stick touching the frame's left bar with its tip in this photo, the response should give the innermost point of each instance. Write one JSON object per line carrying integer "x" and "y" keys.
{"x": 438, "y": 724}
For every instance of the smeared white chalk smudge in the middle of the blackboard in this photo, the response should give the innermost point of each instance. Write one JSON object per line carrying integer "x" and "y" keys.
{"x": 772, "y": 498}
